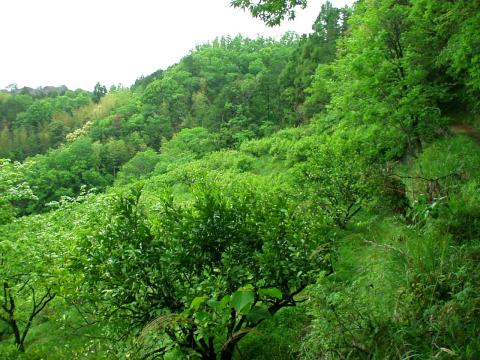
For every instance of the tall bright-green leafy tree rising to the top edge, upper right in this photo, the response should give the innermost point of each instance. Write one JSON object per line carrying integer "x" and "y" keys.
{"x": 381, "y": 76}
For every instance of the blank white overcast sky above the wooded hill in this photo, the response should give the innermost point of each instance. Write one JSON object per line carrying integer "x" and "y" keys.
{"x": 78, "y": 43}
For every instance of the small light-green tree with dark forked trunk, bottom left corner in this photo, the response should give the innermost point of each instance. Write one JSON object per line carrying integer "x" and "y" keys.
{"x": 34, "y": 252}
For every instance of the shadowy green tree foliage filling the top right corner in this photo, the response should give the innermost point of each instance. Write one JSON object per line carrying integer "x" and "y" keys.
{"x": 451, "y": 49}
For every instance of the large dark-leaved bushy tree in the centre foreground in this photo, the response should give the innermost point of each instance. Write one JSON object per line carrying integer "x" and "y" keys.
{"x": 207, "y": 249}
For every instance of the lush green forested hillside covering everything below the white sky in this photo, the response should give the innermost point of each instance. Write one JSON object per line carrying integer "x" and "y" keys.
{"x": 313, "y": 197}
